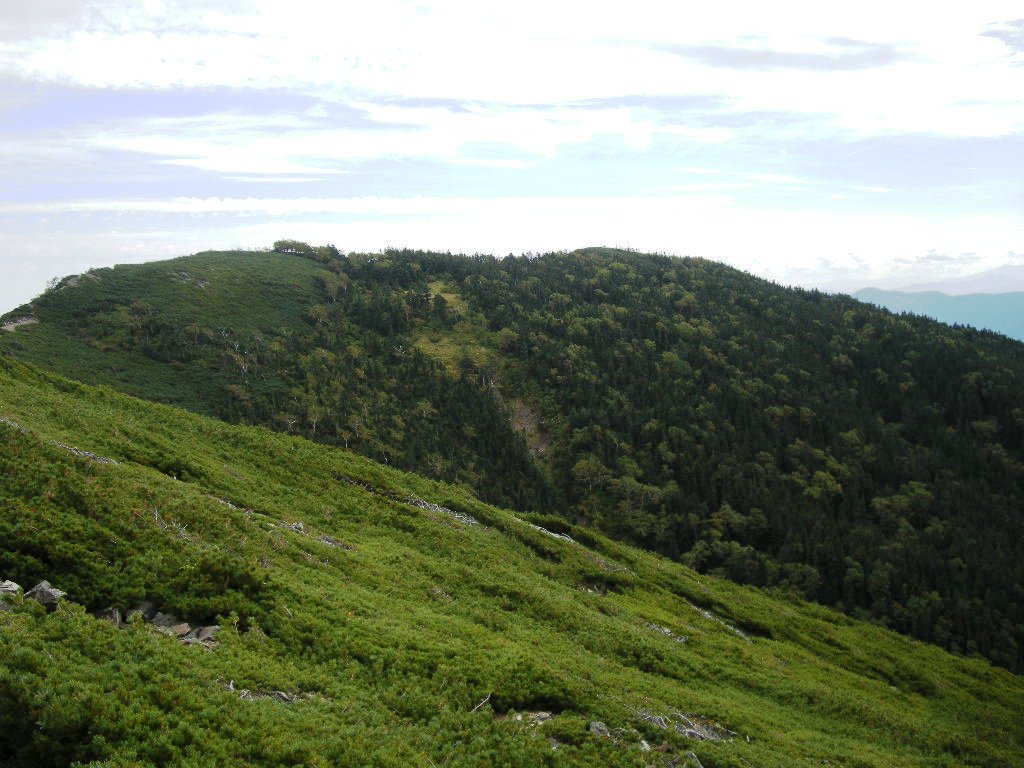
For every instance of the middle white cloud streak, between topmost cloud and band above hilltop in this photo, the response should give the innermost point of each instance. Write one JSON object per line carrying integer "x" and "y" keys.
{"x": 293, "y": 145}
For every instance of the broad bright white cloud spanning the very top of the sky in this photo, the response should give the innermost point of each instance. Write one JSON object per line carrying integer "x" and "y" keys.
{"x": 948, "y": 79}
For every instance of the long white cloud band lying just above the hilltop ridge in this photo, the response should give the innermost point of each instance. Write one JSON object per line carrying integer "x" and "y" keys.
{"x": 697, "y": 225}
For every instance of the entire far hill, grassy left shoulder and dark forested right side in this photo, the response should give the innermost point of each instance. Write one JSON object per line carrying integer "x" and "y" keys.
{"x": 784, "y": 439}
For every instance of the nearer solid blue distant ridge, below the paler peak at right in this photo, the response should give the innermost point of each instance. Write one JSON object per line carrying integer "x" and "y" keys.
{"x": 1003, "y": 313}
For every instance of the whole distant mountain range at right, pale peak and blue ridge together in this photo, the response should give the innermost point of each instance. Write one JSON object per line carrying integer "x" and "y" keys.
{"x": 993, "y": 301}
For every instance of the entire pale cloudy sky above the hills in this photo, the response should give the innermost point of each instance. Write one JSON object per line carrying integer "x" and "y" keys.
{"x": 817, "y": 144}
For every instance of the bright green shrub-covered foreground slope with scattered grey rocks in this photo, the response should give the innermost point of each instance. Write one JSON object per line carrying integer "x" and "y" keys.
{"x": 408, "y": 623}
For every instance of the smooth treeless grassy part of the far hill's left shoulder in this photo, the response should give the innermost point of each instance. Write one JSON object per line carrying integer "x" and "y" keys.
{"x": 200, "y": 290}
